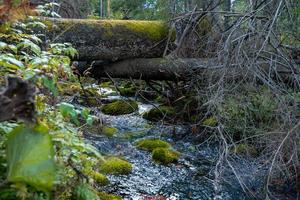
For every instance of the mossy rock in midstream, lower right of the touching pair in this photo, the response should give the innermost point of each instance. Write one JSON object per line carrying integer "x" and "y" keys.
{"x": 165, "y": 156}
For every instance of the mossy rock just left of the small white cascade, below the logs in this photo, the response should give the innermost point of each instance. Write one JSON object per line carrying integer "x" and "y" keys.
{"x": 119, "y": 107}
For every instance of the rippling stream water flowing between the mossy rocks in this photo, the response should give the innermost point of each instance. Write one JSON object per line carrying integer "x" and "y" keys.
{"x": 193, "y": 177}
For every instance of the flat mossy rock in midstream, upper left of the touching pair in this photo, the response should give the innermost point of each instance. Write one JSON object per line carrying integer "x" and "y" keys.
{"x": 151, "y": 144}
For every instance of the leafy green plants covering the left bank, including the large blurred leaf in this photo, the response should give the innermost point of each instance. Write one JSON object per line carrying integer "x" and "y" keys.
{"x": 29, "y": 149}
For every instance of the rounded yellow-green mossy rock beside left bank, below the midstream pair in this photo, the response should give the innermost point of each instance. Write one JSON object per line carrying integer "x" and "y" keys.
{"x": 116, "y": 166}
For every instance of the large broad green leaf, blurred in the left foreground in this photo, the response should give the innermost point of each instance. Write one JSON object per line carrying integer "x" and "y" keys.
{"x": 30, "y": 157}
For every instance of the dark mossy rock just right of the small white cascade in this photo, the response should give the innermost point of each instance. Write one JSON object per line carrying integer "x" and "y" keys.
{"x": 156, "y": 114}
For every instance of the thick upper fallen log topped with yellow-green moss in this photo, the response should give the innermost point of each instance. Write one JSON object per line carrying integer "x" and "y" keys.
{"x": 110, "y": 39}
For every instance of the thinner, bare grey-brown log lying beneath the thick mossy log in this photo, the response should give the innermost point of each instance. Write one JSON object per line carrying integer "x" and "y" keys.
{"x": 202, "y": 70}
